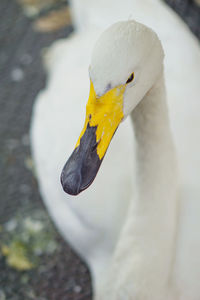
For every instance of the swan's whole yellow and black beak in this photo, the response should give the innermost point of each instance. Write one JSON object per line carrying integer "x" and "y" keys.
{"x": 103, "y": 116}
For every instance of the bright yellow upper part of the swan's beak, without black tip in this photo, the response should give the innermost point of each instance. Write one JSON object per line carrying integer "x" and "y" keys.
{"x": 105, "y": 113}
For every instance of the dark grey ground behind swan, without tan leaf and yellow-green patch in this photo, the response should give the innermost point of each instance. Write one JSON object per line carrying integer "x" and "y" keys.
{"x": 59, "y": 275}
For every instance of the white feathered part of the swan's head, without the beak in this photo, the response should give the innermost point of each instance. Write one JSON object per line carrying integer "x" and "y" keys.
{"x": 123, "y": 49}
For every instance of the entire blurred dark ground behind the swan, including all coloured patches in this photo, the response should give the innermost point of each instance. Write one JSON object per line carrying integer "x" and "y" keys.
{"x": 35, "y": 262}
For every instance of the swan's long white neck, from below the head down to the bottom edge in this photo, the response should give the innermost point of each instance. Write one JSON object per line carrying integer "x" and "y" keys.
{"x": 141, "y": 266}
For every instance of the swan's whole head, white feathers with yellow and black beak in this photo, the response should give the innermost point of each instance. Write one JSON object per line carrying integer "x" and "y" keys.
{"x": 126, "y": 61}
